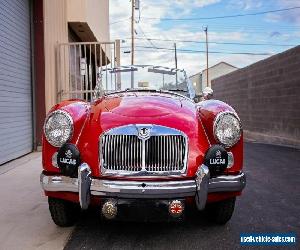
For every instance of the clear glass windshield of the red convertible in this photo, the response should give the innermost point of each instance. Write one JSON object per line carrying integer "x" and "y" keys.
{"x": 143, "y": 77}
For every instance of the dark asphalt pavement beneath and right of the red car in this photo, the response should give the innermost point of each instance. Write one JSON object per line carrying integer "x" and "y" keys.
{"x": 270, "y": 203}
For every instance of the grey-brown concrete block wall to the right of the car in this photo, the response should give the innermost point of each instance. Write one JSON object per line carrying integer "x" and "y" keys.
{"x": 266, "y": 97}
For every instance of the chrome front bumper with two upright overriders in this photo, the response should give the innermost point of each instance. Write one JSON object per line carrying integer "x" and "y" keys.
{"x": 87, "y": 186}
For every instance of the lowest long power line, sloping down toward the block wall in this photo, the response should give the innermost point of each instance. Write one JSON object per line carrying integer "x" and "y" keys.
{"x": 200, "y": 51}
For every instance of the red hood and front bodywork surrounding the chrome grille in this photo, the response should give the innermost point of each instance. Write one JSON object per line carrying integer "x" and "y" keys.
{"x": 168, "y": 110}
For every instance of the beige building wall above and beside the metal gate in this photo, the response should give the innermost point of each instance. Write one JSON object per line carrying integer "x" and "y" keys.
{"x": 91, "y": 15}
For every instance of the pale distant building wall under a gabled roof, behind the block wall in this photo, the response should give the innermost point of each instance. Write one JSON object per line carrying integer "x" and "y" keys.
{"x": 215, "y": 72}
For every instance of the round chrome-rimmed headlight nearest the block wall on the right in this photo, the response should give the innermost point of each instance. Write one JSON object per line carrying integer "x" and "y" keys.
{"x": 227, "y": 128}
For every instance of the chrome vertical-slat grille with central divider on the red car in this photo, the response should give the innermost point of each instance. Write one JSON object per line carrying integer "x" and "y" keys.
{"x": 159, "y": 153}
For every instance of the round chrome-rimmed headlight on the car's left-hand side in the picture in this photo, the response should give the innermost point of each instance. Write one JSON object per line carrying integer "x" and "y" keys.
{"x": 58, "y": 128}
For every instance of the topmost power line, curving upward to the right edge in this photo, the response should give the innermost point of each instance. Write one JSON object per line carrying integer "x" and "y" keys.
{"x": 221, "y": 17}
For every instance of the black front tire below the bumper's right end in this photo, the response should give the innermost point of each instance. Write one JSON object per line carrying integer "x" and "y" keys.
{"x": 221, "y": 212}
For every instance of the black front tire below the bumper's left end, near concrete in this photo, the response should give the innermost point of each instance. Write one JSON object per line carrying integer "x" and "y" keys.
{"x": 63, "y": 213}
